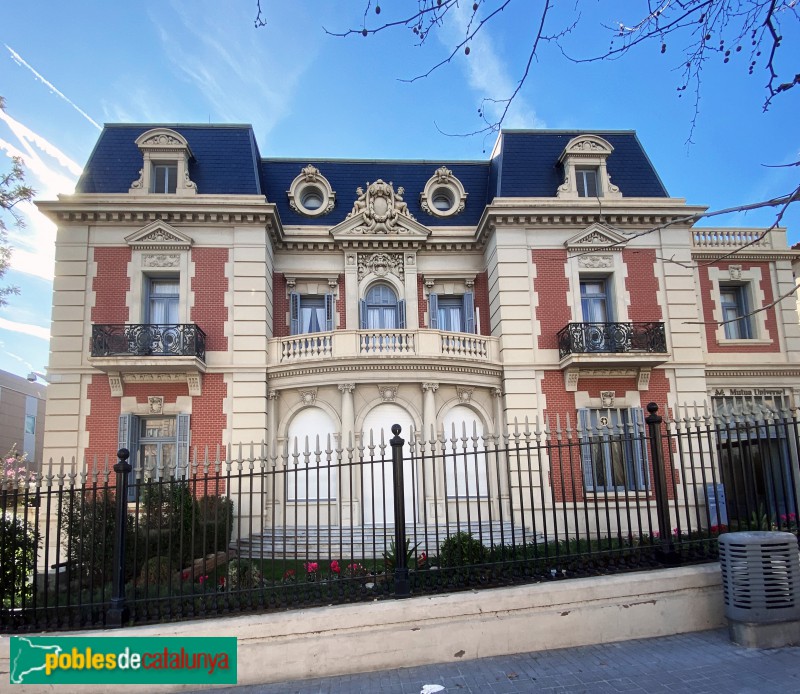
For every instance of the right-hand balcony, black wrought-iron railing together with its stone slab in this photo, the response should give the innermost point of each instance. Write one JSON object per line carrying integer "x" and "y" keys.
{"x": 613, "y": 344}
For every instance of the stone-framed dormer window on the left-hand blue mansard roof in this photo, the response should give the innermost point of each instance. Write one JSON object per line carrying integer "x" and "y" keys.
{"x": 165, "y": 164}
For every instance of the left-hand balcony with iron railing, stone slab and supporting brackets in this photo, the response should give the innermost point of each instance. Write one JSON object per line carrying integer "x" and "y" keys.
{"x": 148, "y": 352}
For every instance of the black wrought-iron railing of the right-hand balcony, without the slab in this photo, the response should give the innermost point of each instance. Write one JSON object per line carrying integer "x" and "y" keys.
{"x": 582, "y": 338}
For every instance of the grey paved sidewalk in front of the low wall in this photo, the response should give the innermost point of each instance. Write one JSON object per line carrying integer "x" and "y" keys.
{"x": 697, "y": 663}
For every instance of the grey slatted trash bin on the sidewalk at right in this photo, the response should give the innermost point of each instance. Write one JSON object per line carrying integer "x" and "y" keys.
{"x": 761, "y": 584}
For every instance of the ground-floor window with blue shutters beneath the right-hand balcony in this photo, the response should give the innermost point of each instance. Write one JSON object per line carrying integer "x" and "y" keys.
{"x": 613, "y": 450}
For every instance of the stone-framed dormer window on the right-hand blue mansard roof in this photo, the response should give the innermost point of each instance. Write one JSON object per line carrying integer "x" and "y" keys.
{"x": 585, "y": 173}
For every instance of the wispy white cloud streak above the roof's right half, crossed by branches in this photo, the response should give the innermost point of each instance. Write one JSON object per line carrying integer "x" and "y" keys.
{"x": 487, "y": 73}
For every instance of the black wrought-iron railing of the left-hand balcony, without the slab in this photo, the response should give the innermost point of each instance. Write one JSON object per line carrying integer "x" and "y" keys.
{"x": 146, "y": 339}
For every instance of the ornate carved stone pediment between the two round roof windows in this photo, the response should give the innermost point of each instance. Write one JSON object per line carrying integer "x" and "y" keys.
{"x": 380, "y": 215}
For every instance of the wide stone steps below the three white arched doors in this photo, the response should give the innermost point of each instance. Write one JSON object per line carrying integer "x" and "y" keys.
{"x": 368, "y": 541}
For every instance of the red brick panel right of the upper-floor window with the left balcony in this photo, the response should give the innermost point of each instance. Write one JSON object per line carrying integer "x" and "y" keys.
{"x": 210, "y": 285}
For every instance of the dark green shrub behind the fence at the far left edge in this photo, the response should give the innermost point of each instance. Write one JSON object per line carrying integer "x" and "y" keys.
{"x": 19, "y": 541}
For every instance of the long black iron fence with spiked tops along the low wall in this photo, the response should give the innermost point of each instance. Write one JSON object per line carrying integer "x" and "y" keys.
{"x": 321, "y": 522}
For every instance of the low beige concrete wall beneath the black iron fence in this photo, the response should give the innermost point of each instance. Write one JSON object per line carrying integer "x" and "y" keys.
{"x": 402, "y": 633}
